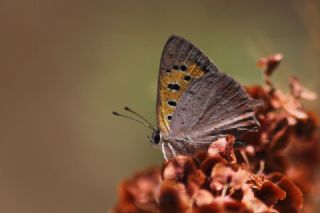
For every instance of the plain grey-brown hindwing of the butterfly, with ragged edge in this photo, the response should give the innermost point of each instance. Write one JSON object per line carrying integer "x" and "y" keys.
{"x": 213, "y": 105}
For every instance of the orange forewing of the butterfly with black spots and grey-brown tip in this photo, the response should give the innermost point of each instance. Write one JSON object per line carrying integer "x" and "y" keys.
{"x": 181, "y": 63}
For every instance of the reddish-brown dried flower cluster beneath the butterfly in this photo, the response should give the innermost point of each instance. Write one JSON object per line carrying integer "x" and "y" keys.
{"x": 273, "y": 172}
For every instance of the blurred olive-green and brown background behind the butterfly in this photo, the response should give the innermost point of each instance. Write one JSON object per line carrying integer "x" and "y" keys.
{"x": 66, "y": 64}
